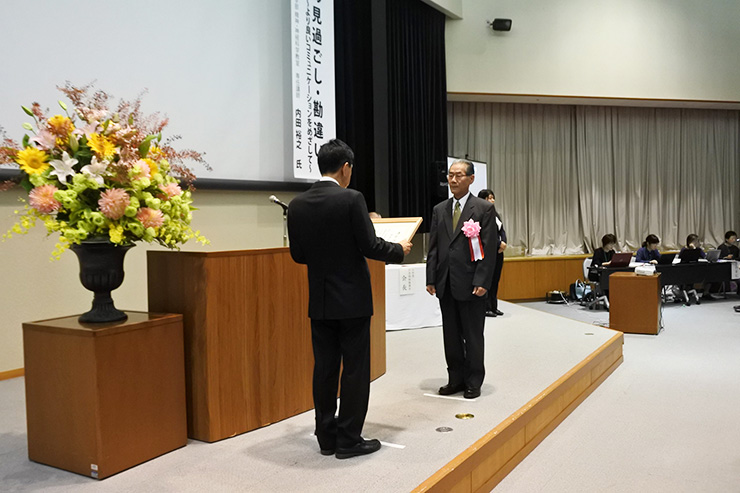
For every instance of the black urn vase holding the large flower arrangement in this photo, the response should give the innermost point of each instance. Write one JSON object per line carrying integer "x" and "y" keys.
{"x": 101, "y": 271}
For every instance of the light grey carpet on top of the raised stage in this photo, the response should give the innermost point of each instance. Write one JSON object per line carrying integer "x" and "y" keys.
{"x": 526, "y": 351}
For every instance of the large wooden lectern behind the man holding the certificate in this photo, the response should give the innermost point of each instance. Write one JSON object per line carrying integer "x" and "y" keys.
{"x": 248, "y": 353}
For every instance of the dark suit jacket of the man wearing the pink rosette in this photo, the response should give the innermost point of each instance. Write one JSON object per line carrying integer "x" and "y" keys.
{"x": 449, "y": 251}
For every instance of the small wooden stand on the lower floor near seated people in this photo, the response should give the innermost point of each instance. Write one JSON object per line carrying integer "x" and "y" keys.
{"x": 634, "y": 303}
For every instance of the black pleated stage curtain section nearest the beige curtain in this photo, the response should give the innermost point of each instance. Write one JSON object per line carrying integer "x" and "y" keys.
{"x": 417, "y": 106}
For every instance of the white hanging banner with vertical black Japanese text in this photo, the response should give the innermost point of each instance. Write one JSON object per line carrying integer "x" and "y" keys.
{"x": 314, "y": 114}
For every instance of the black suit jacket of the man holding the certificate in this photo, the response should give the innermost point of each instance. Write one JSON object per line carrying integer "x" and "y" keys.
{"x": 330, "y": 231}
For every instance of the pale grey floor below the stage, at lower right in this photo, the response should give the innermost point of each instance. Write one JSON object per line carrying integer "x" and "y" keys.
{"x": 665, "y": 421}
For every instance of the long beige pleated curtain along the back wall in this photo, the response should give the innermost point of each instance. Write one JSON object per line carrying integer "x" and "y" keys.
{"x": 566, "y": 175}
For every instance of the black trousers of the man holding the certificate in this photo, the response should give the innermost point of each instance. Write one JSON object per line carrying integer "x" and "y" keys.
{"x": 340, "y": 342}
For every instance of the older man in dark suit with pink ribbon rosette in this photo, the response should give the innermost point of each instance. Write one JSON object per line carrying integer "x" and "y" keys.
{"x": 458, "y": 276}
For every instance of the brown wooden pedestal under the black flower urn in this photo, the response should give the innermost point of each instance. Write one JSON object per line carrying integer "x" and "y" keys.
{"x": 101, "y": 398}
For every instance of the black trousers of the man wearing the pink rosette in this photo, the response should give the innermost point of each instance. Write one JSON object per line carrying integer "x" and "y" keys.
{"x": 462, "y": 326}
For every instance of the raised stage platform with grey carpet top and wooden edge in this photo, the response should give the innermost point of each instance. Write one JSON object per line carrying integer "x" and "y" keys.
{"x": 539, "y": 368}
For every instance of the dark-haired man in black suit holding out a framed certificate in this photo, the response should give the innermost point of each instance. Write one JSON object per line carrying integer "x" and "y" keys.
{"x": 331, "y": 232}
